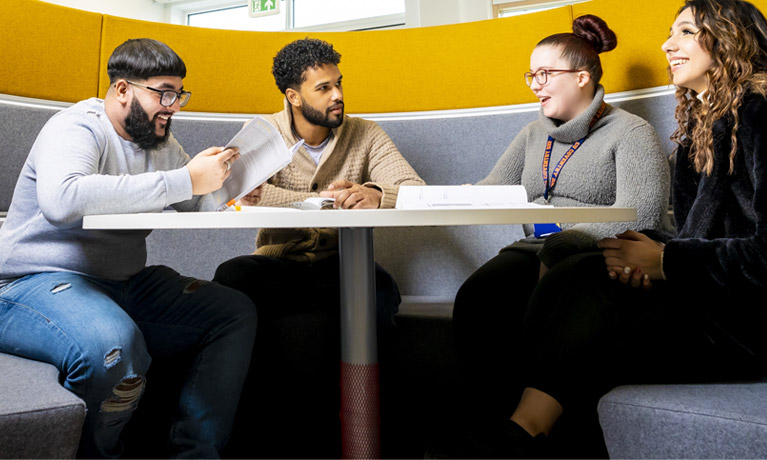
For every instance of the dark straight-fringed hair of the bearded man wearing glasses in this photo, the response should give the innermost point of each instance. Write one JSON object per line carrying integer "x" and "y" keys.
{"x": 142, "y": 58}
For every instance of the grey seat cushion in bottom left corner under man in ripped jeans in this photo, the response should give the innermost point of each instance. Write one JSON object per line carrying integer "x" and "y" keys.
{"x": 38, "y": 417}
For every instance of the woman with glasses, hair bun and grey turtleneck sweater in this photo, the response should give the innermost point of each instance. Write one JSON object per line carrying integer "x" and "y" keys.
{"x": 580, "y": 152}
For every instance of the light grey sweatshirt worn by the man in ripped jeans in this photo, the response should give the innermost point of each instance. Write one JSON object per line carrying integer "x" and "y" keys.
{"x": 79, "y": 165}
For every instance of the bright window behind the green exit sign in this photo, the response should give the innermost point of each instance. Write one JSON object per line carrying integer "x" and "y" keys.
{"x": 303, "y": 15}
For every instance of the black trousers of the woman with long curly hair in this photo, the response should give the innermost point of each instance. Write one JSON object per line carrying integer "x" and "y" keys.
{"x": 588, "y": 334}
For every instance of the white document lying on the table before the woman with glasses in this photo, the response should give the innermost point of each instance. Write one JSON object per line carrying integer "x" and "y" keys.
{"x": 462, "y": 197}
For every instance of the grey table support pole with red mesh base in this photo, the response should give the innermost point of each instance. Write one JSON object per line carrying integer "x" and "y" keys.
{"x": 360, "y": 415}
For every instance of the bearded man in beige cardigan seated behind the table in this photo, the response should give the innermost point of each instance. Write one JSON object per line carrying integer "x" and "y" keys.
{"x": 293, "y": 277}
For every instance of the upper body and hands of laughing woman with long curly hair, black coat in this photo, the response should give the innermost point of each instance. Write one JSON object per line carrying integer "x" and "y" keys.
{"x": 717, "y": 54}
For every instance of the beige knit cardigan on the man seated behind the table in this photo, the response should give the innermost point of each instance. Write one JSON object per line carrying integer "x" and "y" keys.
{"x": 359, "y": 151}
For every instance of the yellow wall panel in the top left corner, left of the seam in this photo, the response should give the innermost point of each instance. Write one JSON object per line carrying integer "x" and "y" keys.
{"x": 48, "y": 51}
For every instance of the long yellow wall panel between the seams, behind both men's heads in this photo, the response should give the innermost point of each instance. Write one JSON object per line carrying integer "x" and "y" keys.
{"x": 465, "y": 65}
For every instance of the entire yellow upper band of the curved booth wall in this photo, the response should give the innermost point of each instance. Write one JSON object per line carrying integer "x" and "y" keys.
{"x": 57, "y": 53}
